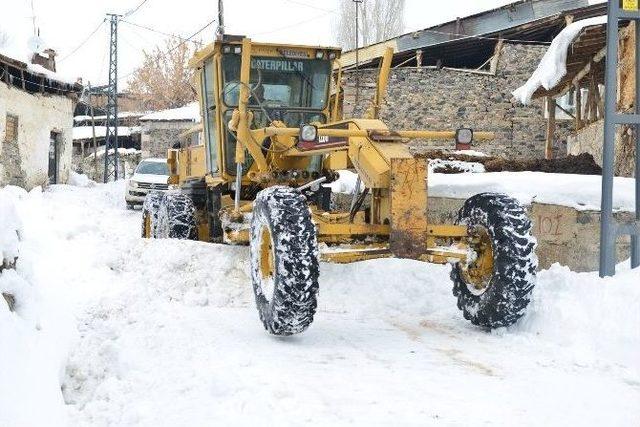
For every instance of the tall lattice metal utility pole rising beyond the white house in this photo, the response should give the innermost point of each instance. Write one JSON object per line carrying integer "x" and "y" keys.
{"x": 111, "y": 136}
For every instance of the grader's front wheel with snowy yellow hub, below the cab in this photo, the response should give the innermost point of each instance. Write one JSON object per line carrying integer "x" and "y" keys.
{"x": 285, "y": 269}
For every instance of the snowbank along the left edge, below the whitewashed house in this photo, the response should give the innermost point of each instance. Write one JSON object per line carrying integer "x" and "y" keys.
{"x": 34, "y": 339}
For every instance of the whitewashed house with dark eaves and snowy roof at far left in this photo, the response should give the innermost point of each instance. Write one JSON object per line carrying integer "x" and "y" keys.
{"x": 36, "y": 121}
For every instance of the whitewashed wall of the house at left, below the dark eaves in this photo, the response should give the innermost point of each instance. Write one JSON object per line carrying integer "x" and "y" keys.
{"x": 25, "y": 162}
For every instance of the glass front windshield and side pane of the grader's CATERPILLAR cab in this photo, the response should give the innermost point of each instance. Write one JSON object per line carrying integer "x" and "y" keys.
{"x": 279, "y": 82}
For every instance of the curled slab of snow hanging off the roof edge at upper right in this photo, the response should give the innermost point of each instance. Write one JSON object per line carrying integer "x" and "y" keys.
{"x": 553, "y": 66}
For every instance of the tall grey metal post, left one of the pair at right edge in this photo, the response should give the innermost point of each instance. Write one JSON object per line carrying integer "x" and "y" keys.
{"x": 608, "y": 226}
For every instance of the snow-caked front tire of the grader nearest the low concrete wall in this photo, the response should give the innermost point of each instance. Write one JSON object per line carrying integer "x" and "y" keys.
{"x": 505, "y": 293}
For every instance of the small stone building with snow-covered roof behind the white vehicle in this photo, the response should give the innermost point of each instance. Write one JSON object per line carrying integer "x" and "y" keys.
{"x": 163, "y": 129}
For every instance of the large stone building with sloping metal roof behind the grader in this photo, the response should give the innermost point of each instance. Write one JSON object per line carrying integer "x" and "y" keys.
{"x": 462, "y": 74}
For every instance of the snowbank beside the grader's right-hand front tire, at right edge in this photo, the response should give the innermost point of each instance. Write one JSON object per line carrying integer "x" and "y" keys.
{"x": 594, "y": 319}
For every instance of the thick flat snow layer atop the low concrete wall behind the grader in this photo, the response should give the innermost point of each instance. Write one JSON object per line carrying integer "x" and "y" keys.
{"x": 581, "y": 192}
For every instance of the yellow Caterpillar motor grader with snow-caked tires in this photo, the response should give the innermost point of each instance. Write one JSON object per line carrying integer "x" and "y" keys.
{"x": 273, "y": 137}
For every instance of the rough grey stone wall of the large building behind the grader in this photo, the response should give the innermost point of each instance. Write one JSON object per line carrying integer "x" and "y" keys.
{"x": 442, "y": 99}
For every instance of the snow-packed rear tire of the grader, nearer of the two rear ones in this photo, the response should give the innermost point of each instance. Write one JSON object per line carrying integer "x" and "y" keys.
{"x": 177, "y": 218}
